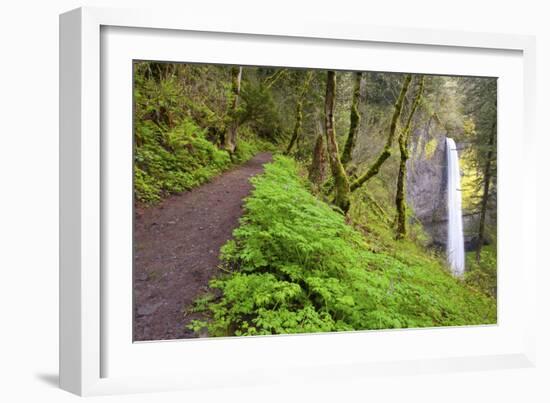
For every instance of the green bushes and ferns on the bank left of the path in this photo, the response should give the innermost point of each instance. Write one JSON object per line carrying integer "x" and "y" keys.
{"x": 177, "y": 128}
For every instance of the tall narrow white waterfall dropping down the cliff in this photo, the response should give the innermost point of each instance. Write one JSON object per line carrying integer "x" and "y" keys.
{"x": 455, "y": 236}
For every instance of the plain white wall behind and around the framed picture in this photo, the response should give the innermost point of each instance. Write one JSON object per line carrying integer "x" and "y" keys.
{"x": 29, "y": 201}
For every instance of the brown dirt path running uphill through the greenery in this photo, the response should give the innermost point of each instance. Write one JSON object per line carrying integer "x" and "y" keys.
{"x": 176, "y": 247}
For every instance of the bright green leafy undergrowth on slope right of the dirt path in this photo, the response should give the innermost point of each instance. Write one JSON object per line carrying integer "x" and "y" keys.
{"x": 296, "y": 266}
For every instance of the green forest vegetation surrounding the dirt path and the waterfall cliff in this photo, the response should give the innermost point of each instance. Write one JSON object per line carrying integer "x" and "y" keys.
{"x": 330, "y": 239}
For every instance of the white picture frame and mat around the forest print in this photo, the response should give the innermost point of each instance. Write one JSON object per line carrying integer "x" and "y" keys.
{"x": 96, "y": 44}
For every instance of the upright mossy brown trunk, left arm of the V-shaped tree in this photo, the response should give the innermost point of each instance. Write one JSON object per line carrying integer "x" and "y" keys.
{"x": 341, "y": 182}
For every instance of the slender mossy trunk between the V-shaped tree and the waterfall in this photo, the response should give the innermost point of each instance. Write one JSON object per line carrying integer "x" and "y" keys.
{"x": 400, "y": 202}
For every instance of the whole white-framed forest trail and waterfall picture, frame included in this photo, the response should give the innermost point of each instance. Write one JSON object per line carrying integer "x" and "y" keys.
{"x": 243, "y": 203}
